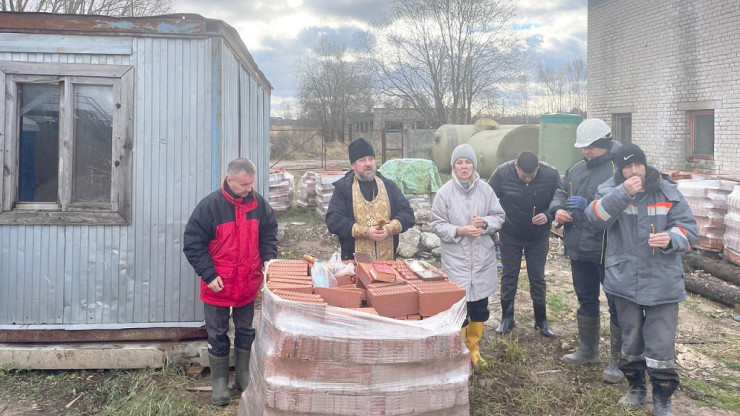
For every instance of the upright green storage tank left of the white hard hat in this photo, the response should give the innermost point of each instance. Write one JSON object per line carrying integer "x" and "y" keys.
{"x": 557, "y": 136}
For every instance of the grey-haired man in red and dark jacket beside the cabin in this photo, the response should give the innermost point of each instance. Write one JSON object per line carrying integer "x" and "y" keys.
{"x": 229, "y": 236}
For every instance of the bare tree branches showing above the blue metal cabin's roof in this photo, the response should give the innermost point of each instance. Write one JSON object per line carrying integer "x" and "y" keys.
{"x": 119, "y": 8}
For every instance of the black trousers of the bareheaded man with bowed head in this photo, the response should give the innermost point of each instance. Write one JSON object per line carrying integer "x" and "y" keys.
{"x": 535, "y": 253}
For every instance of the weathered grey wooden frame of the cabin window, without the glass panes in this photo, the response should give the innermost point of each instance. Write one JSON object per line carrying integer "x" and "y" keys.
{"x": 64, "y": 211}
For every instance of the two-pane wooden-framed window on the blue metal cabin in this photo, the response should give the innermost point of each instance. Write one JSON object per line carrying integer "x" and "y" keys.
{"x": 67, "y": 141}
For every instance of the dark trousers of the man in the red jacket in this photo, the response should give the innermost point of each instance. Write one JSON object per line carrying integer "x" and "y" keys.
{"x": 217, "y": 325}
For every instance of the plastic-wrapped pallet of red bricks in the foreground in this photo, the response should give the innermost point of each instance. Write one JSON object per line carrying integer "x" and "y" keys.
{"x": 364, "y": 347}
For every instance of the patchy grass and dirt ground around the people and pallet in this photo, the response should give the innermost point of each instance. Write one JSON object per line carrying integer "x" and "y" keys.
{"x": 708, "y": 347}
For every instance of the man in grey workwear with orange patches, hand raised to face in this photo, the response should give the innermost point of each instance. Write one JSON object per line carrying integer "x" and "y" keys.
{"x": 649, "y": 228}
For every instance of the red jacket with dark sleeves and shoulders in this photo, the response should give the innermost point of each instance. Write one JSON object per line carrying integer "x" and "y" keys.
{"x": 230, "y": 236}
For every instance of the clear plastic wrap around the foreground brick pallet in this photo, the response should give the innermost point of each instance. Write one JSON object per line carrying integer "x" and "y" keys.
{"x": 324, "y": 360}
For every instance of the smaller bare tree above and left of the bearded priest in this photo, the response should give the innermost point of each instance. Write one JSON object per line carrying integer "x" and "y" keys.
{"x": 331, "y": 86}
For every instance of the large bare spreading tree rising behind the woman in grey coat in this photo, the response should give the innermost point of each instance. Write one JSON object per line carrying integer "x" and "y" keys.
{"x": 445, "y": 58}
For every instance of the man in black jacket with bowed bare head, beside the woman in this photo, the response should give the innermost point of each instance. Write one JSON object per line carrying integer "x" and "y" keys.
{"x": 525, "y": 188}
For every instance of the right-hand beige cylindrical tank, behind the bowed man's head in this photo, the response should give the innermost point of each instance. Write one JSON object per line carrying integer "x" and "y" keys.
{"x": 494, "y": 147}
